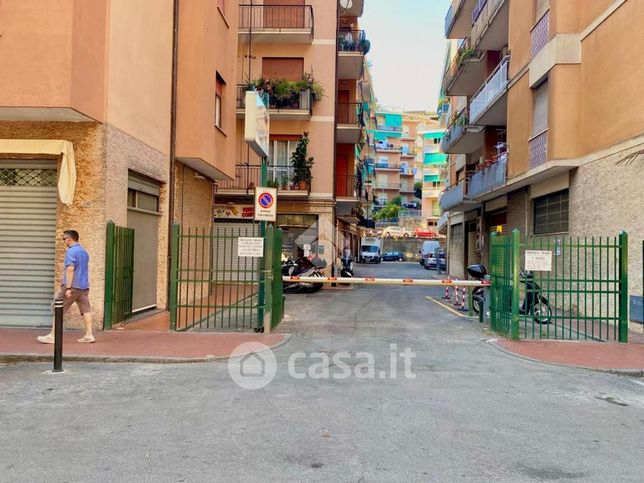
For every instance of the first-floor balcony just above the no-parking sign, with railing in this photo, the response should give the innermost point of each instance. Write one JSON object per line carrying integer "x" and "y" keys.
{"x": 247, "y": 177}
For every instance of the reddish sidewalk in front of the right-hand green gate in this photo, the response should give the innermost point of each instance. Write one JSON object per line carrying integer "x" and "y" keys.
{"x": 613, "y": 357}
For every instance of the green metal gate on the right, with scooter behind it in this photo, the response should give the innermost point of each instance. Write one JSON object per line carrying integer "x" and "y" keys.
{"x": 583, "y": 296}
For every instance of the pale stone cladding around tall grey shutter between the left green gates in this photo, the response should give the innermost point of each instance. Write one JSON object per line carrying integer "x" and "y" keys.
{"x": 124, "y": 154}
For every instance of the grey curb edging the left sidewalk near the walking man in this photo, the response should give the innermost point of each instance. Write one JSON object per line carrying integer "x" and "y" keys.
{"x": 12, "y": 358}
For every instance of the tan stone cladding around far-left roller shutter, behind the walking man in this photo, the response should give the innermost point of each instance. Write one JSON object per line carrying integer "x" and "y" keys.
{"x": 87, "y": 212}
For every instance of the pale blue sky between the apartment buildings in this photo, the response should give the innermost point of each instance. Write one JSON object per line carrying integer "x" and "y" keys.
{"x": 407, "y": 50}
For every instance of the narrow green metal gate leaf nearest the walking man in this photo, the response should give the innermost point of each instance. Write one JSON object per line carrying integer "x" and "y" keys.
{"x": 119, "y": 274}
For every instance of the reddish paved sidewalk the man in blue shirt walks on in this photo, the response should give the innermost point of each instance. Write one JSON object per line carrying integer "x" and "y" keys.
{"x": 130, "y": 346}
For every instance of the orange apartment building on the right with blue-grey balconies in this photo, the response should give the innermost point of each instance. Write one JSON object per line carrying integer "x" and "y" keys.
{"x": 545, "y": 123}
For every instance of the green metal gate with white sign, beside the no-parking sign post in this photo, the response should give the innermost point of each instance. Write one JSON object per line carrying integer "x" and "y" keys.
{"x": 213, "y": 288}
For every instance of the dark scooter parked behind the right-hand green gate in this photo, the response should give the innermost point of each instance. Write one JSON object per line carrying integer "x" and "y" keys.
{"x": 533, "y": 303}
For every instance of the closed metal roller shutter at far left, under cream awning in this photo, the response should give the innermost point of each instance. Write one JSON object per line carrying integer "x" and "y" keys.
{"x": 27, "y": 242}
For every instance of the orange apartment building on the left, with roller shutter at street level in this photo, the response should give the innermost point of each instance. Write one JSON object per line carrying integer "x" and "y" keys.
{"x": 110, "y": 111}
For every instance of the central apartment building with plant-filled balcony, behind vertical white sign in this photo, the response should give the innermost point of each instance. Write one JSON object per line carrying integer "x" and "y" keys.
{"x": 289, "y": 50}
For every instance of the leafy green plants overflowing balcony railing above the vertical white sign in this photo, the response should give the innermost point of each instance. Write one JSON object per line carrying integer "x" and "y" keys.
{"x": 285, "y": 94}
